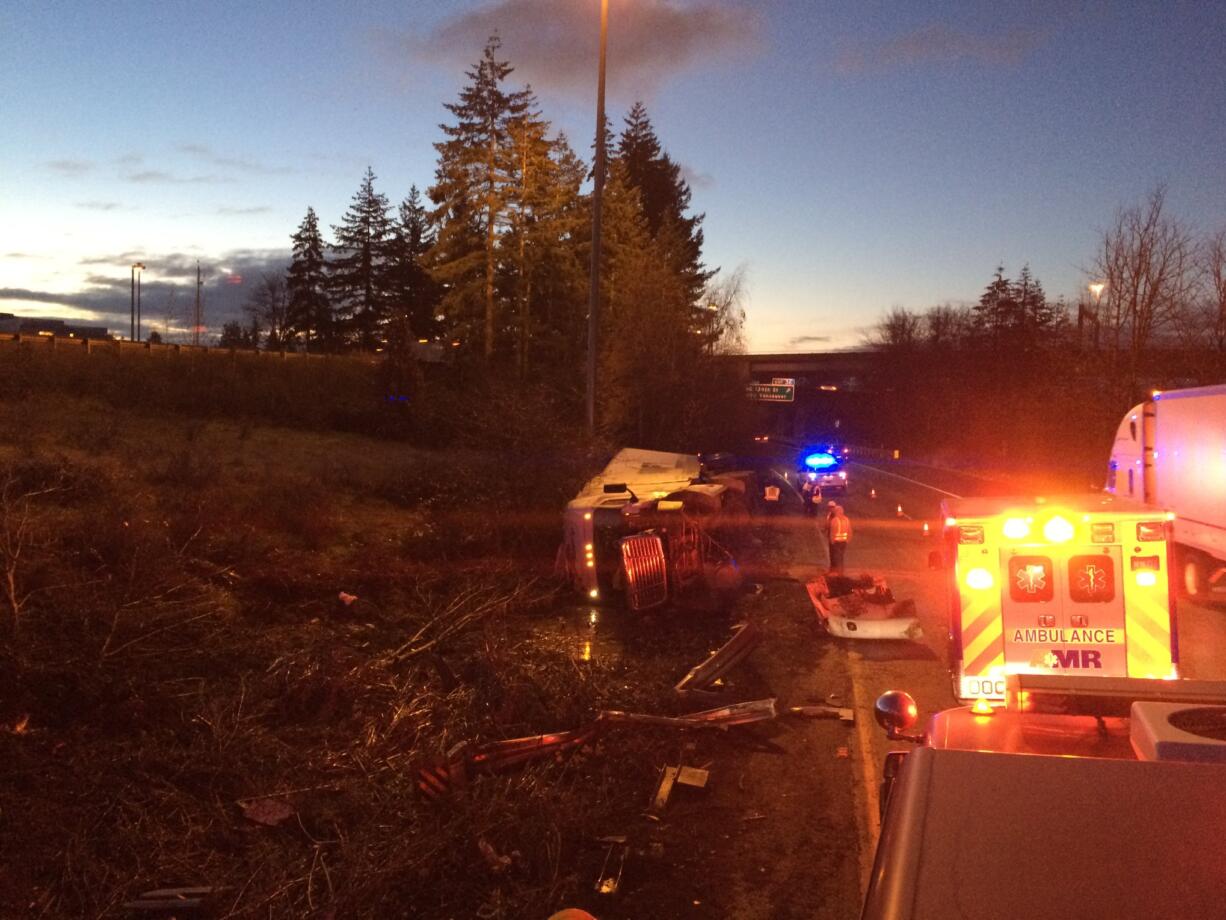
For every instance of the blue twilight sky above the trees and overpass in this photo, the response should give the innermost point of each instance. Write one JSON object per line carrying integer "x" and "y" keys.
{"x": 853, "y": 158}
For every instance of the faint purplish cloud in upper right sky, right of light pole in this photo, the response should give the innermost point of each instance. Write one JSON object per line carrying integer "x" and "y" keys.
{"x": 939, "y": 45}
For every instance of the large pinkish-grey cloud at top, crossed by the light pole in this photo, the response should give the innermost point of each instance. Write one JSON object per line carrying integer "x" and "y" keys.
{"x": 554, "y": 44}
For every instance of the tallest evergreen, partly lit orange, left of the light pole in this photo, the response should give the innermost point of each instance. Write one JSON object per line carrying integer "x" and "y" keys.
{"x": 473, "y": 194}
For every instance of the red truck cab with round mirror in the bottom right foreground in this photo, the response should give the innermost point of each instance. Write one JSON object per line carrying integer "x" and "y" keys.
{"x": 1078, "y": 798}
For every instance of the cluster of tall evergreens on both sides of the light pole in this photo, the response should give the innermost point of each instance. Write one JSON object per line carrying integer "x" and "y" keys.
{"x": 492, "y": 262}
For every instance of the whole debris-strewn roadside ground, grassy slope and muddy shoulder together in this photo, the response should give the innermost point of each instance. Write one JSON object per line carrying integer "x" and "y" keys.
{"x": 187, "y": 700}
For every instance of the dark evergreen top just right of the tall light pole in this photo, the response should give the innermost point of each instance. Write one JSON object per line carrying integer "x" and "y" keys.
{"x": 666, "y": 198}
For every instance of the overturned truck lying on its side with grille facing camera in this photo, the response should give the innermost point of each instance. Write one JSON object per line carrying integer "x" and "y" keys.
{"x": 652, "y": 529}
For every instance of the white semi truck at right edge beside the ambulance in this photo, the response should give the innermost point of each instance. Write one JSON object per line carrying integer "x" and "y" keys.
{"x": 1170, "y": 453}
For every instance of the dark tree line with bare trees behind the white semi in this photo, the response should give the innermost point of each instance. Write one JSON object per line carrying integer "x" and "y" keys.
{"x": 1017, "y": 376}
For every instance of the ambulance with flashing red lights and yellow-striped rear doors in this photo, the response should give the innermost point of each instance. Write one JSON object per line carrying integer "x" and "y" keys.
{"x": 1073, "y": 586}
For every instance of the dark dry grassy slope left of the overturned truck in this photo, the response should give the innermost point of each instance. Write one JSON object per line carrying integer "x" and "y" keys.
{"x": 172, "y": 651}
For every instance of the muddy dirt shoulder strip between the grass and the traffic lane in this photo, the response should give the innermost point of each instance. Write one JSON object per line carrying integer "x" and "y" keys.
{"x": 775, "y": 834}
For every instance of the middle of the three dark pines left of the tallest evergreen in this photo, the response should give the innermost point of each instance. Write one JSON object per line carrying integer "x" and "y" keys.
{"x": 359, "y": 274}
